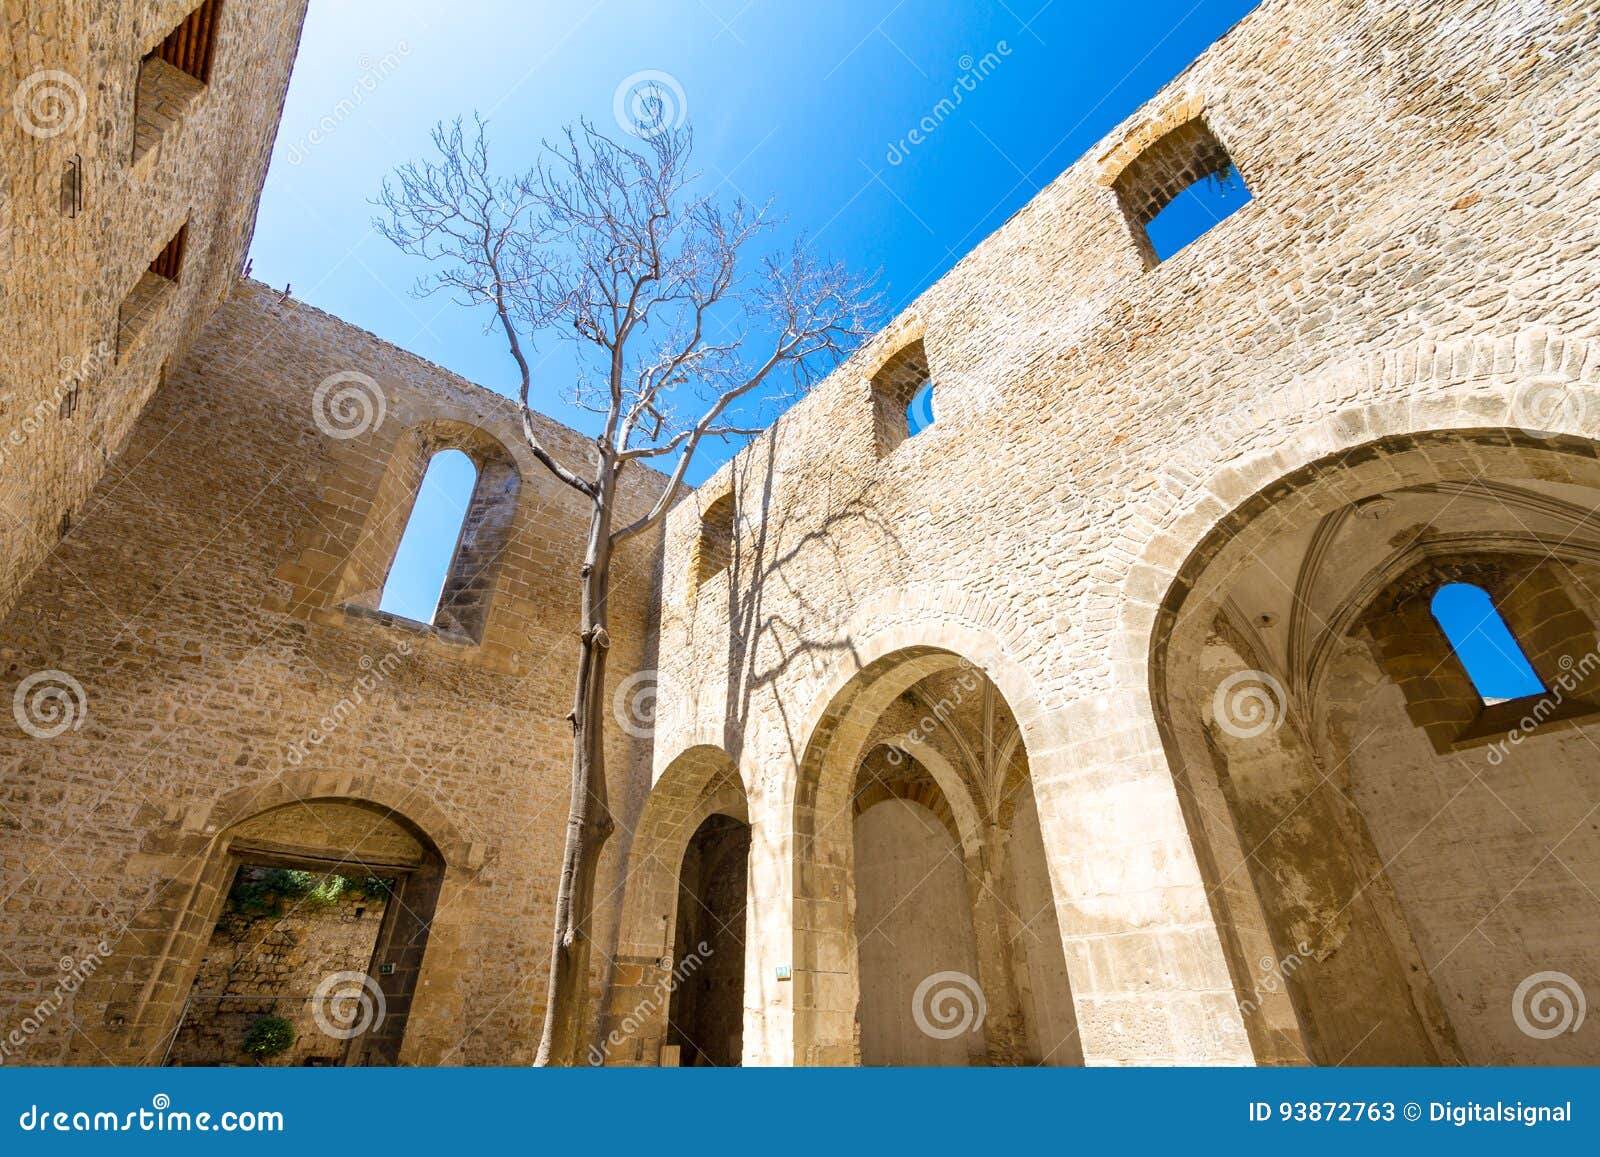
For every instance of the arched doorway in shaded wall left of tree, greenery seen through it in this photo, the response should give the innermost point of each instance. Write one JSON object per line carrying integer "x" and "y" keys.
{"x": 353, "y": 1012}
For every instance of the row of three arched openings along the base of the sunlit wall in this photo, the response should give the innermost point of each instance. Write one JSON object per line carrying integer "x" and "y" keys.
{"x": 1388, "y": 854}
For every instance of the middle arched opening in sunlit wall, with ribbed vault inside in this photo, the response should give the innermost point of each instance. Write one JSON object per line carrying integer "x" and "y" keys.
{"x": 926, "y": 927}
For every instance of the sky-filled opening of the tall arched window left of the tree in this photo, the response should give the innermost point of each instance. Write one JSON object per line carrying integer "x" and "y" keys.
{"x": 417, "y": 578}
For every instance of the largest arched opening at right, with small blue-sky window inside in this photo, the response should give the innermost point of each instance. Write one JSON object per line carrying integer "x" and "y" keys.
{"x": 1401, "y": 863}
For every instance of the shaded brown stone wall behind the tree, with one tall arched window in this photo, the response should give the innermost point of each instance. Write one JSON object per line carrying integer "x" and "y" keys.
{"x": 223, "y": 675}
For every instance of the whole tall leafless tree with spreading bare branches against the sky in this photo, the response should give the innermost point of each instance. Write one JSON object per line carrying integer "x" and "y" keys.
{"x": 614, "y": 247}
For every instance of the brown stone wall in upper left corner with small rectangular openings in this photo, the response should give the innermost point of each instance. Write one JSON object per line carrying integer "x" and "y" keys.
{"x": 86, "y": 210}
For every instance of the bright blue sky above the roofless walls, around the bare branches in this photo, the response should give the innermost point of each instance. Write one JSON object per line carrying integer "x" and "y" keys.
{"x": 812, "y": 106}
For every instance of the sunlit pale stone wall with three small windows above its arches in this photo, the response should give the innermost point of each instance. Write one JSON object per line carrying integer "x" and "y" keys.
{"x": 1420, "y": 255}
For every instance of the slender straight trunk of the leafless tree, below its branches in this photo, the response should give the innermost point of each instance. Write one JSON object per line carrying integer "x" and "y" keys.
{"x": 590, "y": 820}
